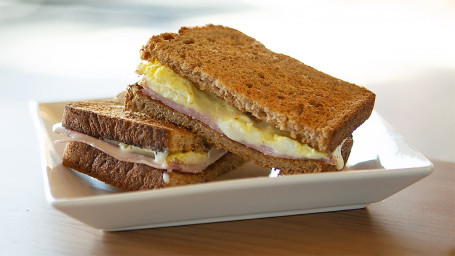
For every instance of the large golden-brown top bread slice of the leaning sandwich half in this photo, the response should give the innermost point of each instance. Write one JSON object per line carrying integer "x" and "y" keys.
{"x": 315, "y": 108}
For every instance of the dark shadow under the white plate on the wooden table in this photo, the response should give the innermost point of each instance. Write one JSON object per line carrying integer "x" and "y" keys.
{"x": 349, "y": 232}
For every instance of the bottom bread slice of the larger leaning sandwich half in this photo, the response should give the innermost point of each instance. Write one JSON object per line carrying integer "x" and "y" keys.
{"x": 136, "y": 101}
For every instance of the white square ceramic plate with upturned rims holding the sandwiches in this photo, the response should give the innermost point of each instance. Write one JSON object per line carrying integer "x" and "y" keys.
{"x": 381, "y": 164}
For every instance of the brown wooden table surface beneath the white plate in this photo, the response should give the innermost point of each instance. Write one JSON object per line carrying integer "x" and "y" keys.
{"x": 419, "y": 220}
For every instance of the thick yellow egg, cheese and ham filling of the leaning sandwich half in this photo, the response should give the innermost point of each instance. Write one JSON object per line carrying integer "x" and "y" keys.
{"x": 161, "y": 83}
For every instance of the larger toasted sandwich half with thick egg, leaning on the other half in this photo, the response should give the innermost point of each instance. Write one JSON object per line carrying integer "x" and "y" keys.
{"x": 264, "y": 106}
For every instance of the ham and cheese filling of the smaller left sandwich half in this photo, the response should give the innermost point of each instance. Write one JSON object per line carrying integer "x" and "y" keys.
{"x": 187, "y": 162}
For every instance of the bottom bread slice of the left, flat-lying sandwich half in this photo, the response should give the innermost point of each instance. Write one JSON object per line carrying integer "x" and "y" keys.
{"x": 133, "y": 177}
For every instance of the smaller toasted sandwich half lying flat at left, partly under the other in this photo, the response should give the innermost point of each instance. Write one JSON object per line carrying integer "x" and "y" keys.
{"x": 134, "y": 152}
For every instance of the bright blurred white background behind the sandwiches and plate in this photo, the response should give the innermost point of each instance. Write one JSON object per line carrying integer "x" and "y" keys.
{"x": 404, "y": 51}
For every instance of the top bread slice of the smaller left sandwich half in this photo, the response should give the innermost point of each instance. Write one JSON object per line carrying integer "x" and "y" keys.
{"x": 107, "y": 119}
